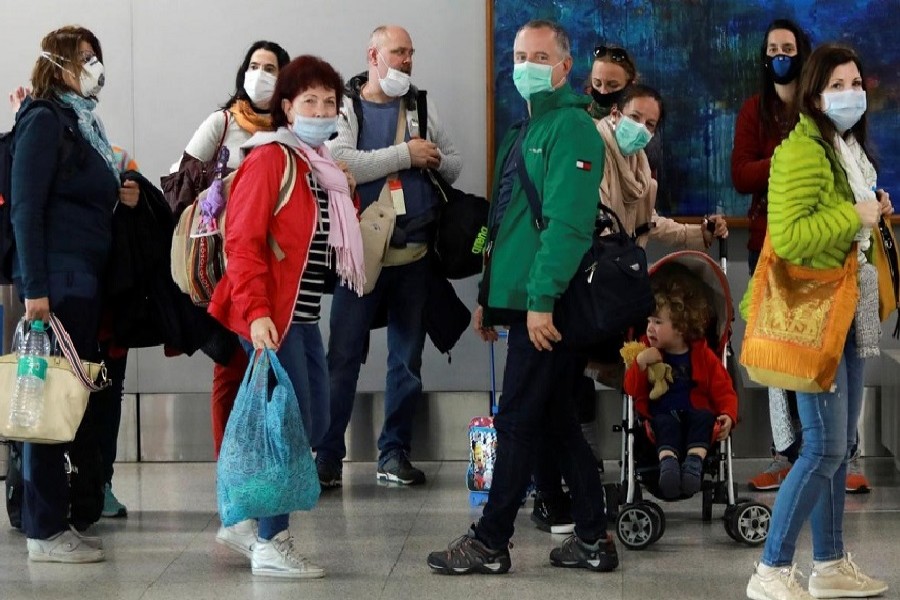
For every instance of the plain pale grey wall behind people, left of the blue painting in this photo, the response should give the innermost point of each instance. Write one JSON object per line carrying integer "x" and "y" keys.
{"x": 170, "y": 63}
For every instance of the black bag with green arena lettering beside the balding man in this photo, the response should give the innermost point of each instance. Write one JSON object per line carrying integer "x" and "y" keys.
{"x": 461, "y": 231}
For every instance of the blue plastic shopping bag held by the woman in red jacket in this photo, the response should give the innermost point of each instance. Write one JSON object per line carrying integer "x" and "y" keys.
{"x": 265, "y": 465}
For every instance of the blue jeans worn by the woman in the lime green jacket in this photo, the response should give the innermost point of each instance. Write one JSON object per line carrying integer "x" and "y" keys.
{"x": 815, "y": 486}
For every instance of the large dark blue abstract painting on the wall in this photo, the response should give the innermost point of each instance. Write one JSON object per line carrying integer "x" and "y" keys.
{"x": 703, "y": 55}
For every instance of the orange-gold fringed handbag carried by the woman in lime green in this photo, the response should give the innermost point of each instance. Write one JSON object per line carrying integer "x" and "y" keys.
{"x": 798, "y": 319}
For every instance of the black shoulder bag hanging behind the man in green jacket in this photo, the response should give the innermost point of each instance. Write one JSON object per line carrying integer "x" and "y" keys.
{"x": 609, "y": 294}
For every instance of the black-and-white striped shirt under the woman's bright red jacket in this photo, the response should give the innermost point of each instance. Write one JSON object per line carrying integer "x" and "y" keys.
{"x": 312, "y": 283}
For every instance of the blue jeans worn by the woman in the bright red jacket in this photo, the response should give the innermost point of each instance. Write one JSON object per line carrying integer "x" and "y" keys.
{"x": 302, "y": 354}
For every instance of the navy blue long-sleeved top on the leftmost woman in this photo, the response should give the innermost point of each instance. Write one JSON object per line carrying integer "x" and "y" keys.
{"x": 62, "y": 201}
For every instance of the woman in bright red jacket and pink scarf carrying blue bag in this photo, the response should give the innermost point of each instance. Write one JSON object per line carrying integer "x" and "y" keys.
{"x": 290, "y": 218}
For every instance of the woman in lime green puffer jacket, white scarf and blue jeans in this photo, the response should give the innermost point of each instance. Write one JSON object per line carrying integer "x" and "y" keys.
{"x": 822, "y": 199}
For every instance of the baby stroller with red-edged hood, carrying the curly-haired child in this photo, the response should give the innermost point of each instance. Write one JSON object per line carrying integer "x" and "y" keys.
{"x": 642, "y": 522}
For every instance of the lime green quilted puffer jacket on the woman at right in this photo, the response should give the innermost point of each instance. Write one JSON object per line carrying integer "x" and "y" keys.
{"x": 812, "y": 220}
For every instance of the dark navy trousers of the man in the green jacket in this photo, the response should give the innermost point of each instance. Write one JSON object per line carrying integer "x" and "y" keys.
{"x": 537, "y": 416}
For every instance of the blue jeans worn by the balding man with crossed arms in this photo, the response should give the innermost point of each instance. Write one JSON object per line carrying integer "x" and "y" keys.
{"x": 402, "y": 291}
